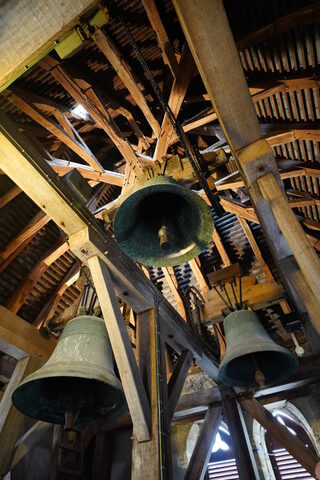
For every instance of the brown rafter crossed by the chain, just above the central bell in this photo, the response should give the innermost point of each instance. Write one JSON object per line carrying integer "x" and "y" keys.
{"x": 177, "y": 94}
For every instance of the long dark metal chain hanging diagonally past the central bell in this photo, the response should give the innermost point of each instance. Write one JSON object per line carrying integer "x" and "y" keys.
{"x": 193, "y": 156}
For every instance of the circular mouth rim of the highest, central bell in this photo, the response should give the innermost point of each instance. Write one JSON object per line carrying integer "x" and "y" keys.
{"x": 204, "y": 234}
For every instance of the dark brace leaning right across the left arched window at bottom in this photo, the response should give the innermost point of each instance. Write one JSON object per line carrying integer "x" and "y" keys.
{"x": 202, "y": 450}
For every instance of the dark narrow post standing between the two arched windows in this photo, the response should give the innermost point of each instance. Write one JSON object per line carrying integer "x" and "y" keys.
{"x": 242, "y": 449}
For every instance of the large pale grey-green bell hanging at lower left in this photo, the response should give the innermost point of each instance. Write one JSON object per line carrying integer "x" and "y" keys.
{"x": 77, "y": 385}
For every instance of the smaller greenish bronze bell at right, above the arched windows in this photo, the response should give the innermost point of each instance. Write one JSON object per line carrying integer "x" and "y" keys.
{"x": 252, "y": 358}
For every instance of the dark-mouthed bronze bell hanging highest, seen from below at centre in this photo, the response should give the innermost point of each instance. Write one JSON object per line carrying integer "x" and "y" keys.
{"x": 163, "y": 223}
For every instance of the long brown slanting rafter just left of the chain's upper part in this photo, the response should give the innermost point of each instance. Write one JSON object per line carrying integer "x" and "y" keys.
{"x": 121, "y": 66}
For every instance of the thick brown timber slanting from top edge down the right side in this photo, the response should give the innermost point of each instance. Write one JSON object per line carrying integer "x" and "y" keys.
{"x": 210, "y": 39}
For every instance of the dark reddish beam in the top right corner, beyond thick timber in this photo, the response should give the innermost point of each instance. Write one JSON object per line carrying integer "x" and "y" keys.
{"x": 303, "y": 16}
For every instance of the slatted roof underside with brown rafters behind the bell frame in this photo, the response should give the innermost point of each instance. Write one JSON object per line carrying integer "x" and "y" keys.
{"x": 279, "y": 46}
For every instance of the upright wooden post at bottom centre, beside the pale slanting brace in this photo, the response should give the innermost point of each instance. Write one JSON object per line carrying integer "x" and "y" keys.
{"x": 147, "y": 457}
